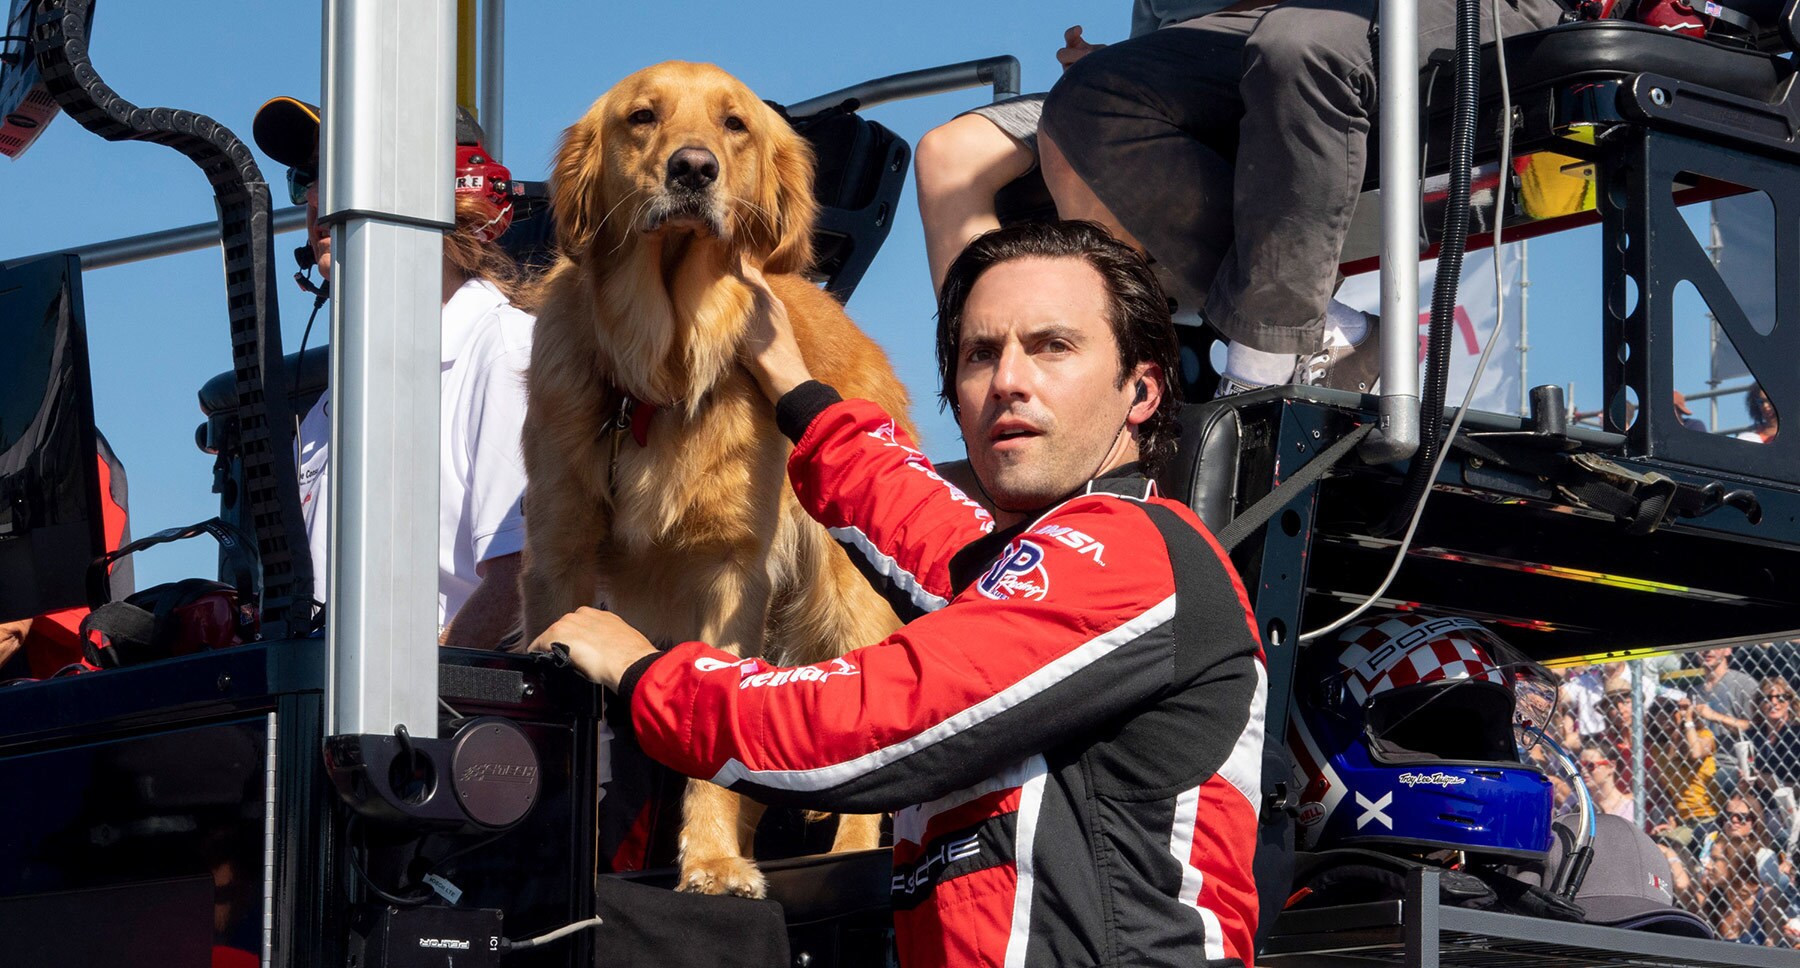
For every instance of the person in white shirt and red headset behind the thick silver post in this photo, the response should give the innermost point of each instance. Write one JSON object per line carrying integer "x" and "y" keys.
{"x": 487, "y": 346}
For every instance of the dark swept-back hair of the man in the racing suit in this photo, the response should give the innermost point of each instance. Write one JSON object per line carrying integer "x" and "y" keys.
{"x": 1137, "y": 310}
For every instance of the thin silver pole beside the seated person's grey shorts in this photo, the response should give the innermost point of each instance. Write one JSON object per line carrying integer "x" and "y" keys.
{"x": 1398, "y": 435}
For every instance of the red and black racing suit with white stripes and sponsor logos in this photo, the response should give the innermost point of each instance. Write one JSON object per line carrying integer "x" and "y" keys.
{"x": 1070, "y": 731}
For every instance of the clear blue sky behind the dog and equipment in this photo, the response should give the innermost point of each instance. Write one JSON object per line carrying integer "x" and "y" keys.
{"x": 159, "y": 330}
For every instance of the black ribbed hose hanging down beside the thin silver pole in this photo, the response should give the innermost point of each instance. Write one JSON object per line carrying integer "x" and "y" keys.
{"x": 1464, "y": 116}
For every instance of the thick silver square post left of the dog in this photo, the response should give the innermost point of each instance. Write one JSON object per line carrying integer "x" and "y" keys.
{"x": 388, "y": 195}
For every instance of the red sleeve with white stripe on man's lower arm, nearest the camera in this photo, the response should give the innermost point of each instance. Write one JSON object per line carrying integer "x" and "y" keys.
{"x": 1068, "y": 629}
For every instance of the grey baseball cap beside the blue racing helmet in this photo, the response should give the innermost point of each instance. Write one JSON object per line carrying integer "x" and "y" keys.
{"x": 1630, "y": 884}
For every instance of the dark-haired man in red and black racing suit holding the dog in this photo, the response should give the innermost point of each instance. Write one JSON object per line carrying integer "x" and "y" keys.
{"x": 1072, "y": 728}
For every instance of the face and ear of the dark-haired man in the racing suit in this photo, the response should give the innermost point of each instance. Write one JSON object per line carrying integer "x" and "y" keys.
{"x": 1038, "y": 382}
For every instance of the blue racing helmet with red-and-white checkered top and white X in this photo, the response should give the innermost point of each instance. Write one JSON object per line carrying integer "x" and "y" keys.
{"x": 1408, "y": 735}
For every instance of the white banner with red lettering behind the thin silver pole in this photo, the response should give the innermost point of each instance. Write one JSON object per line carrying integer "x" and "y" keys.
{"x": 1471, "y": 330}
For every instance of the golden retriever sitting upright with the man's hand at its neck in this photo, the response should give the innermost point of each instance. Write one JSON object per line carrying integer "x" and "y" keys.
{"x": 681, "y": 519}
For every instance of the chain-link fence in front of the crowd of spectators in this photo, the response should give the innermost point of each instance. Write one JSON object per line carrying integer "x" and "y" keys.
{"x": 1704, "y": 751}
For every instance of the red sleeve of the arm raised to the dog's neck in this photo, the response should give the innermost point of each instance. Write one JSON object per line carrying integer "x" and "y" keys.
{"x": 865, "y": 480}
